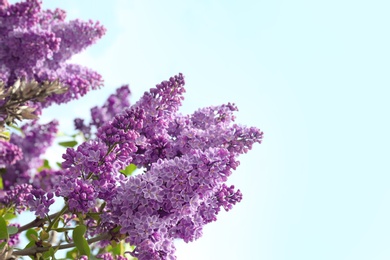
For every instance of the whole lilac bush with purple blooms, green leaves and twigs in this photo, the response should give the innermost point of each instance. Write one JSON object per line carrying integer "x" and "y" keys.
{"x": 144, "y": 175}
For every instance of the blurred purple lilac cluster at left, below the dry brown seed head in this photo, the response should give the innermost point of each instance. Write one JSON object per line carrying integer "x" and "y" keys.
{"x": 34, "y": 142}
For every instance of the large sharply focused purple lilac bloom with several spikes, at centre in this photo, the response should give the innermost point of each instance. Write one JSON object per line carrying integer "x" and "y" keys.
{"x": 186, "y": 161}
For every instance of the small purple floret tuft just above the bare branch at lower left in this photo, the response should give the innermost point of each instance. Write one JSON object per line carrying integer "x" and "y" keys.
{"x": 39, "y": 202}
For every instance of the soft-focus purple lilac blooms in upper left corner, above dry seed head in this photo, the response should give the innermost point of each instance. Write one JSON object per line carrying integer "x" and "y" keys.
{"x": 35, "y": 45}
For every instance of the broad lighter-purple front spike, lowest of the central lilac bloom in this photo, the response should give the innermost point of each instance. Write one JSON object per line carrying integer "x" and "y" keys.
{"x": 174, "y": 199}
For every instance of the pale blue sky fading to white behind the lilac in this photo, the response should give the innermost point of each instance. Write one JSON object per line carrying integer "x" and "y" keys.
{"x": 313, "y": 75}
